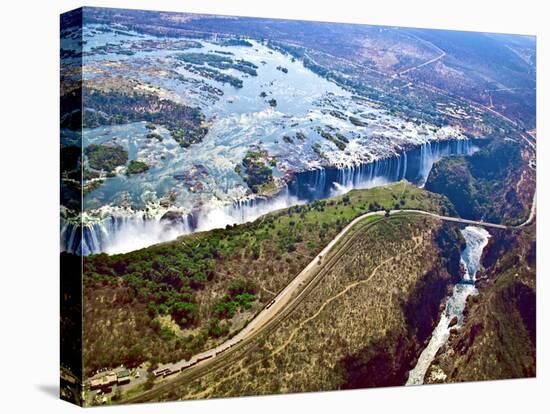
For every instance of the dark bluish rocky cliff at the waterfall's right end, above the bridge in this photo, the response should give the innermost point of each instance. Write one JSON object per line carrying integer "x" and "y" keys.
{"x": 495, "y": 184}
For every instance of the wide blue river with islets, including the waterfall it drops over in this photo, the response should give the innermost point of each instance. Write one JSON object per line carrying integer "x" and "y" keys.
{"x": 199, "y": 186}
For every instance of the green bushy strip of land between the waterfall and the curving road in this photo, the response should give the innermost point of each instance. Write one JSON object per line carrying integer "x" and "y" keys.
{"x": 172, "y": 300}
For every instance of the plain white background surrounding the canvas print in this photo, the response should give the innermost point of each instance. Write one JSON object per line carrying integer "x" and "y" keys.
{"x": 29, "y": 218}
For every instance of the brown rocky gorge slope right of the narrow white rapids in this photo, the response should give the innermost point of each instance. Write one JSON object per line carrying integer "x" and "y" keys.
{"x": 498, "y": 338}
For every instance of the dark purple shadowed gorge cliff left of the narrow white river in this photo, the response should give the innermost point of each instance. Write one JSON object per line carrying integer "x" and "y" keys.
{"x": 386, "y": 361}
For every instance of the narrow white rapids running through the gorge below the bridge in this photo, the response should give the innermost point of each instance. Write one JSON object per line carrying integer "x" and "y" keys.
{"x": 476, "y": 240}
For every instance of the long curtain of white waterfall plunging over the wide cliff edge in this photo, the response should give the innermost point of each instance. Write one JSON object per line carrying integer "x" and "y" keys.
{"x": 124, "y": 233}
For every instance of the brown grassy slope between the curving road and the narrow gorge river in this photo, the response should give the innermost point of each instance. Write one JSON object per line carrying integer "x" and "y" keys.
{"x": 362, "y": 325}
